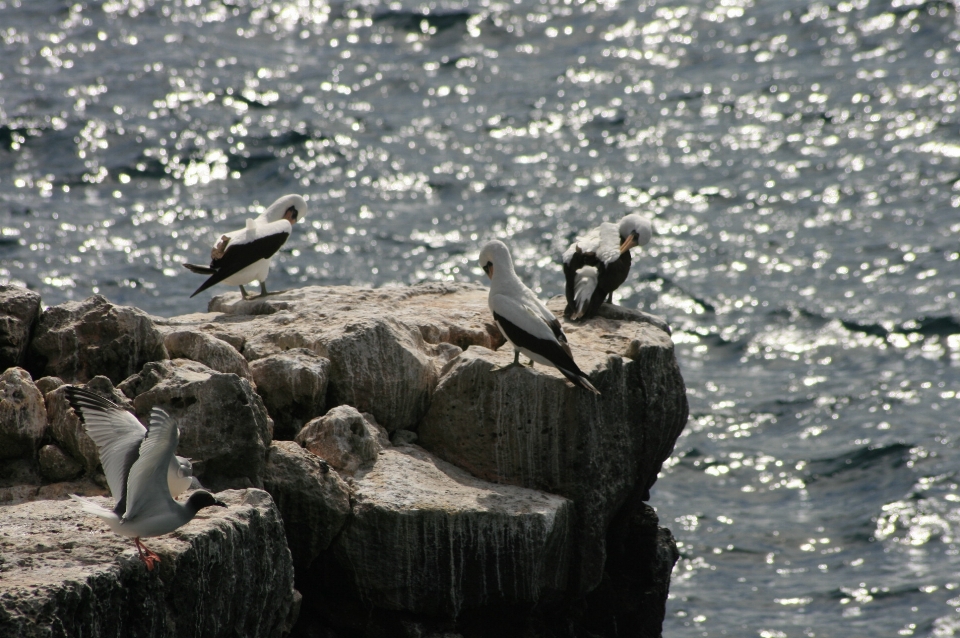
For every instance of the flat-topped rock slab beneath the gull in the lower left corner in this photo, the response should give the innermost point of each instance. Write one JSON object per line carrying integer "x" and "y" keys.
{"x": 226, "y": 573}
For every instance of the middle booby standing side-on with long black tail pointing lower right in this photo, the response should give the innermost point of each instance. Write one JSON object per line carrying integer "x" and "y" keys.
{"x": 525, "y": 322}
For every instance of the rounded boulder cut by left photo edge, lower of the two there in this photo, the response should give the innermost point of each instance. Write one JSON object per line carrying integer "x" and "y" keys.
{"x": 23, "y": 415}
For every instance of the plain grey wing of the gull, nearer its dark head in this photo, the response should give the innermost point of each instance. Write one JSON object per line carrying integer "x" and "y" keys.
{"x": 147, "y": 486}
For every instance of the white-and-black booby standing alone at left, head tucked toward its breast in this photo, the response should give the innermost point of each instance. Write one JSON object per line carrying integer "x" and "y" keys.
{"x": 245, "y": 255}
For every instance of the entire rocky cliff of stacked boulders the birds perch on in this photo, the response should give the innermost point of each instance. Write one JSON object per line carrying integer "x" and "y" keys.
{"x": 423, "y": 493}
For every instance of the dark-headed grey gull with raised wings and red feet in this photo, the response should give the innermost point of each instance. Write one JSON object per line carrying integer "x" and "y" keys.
{"x": 138, "y": 463}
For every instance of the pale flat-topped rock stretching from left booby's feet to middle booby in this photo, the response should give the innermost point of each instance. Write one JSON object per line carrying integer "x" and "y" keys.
{"x": 384, "y": 347}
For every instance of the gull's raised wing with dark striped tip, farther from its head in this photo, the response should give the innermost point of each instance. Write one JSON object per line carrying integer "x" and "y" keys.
{"x": 116, "y": 432}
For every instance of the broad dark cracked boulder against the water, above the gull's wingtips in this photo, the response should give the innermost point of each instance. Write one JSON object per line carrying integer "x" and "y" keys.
{"x": 78, "y": 340}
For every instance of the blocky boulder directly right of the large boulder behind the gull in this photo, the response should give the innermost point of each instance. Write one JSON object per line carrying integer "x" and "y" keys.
{"x": 293, "y": 386}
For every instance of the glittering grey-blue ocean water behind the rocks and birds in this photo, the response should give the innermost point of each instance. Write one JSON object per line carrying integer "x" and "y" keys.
{"x": 801, "y": 161}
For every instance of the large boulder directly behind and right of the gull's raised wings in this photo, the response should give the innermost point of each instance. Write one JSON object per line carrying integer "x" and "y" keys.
{"x": 224, "y": 426}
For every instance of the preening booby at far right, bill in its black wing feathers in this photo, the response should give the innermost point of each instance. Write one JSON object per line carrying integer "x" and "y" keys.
{"x": 598, "y": 262}
